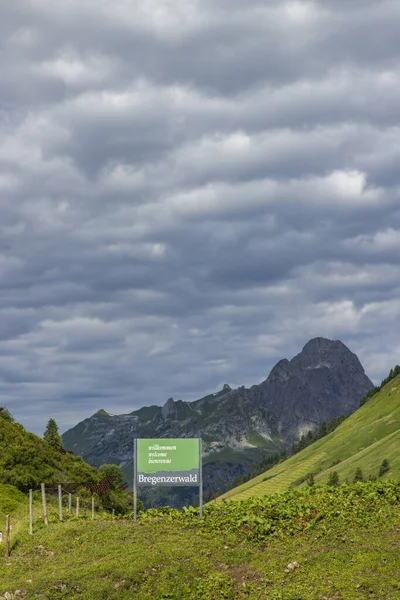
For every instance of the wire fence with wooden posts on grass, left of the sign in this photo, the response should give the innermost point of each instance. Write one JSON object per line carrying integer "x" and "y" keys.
{"x": 51, "y": 504}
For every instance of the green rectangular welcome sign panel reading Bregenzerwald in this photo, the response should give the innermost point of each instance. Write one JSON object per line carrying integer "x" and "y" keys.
{"x": 167, "y": 462}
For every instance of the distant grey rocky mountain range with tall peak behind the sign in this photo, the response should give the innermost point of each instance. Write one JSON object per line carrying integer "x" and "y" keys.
{"x": 240, "y": 426}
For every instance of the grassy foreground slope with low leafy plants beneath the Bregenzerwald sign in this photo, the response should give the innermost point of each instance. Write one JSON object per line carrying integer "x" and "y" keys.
{"x": 308, "y": 544}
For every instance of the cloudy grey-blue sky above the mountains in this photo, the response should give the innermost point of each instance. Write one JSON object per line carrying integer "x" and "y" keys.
{"x": 190, "y": 190}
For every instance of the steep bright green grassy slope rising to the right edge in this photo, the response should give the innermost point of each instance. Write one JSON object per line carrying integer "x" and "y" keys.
{"x": 363, "y": 440}
